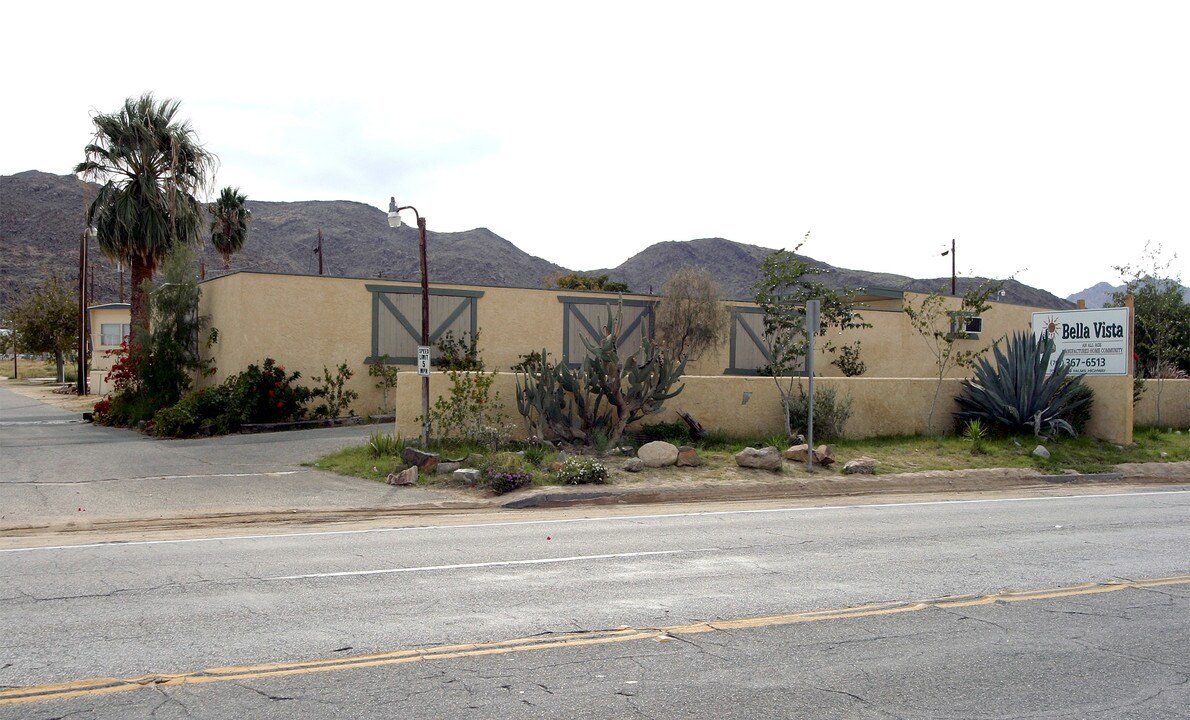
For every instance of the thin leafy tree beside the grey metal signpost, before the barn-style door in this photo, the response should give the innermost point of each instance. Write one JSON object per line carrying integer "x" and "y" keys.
{"x": 787, "y": 283}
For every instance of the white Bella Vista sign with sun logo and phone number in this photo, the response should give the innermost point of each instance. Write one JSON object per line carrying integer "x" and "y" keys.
{"x": 1095, "y": 341}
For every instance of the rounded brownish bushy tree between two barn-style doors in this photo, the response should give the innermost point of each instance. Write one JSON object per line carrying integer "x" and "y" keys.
{"x": 690, "y": 318}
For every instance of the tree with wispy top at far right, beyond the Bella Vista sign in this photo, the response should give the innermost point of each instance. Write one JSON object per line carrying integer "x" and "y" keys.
{"x": 1162, "y": 331}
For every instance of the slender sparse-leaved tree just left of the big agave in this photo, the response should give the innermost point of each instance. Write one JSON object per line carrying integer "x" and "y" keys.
{"x": 943, "y": 328}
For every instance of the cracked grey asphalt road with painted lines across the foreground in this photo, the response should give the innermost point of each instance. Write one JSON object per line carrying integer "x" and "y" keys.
{"x": 690, "y": 615}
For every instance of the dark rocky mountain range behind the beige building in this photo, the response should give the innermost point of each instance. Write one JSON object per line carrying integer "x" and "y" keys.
{"x": 42, "y": 216}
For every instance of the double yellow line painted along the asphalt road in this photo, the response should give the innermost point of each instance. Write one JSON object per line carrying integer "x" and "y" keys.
{"x": 104, "y": 686}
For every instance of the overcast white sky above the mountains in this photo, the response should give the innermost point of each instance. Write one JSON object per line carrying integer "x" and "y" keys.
{"x": 1051, "y": 140}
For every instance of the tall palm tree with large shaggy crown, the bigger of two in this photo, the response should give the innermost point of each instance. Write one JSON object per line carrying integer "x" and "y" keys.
{"x": 152, "y": 167}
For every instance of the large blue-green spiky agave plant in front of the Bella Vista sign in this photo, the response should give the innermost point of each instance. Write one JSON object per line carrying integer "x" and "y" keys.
{"x": 1017, "y": 396}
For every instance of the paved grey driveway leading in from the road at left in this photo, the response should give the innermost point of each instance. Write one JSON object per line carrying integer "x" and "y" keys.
{"x": 57, "y": 469}
